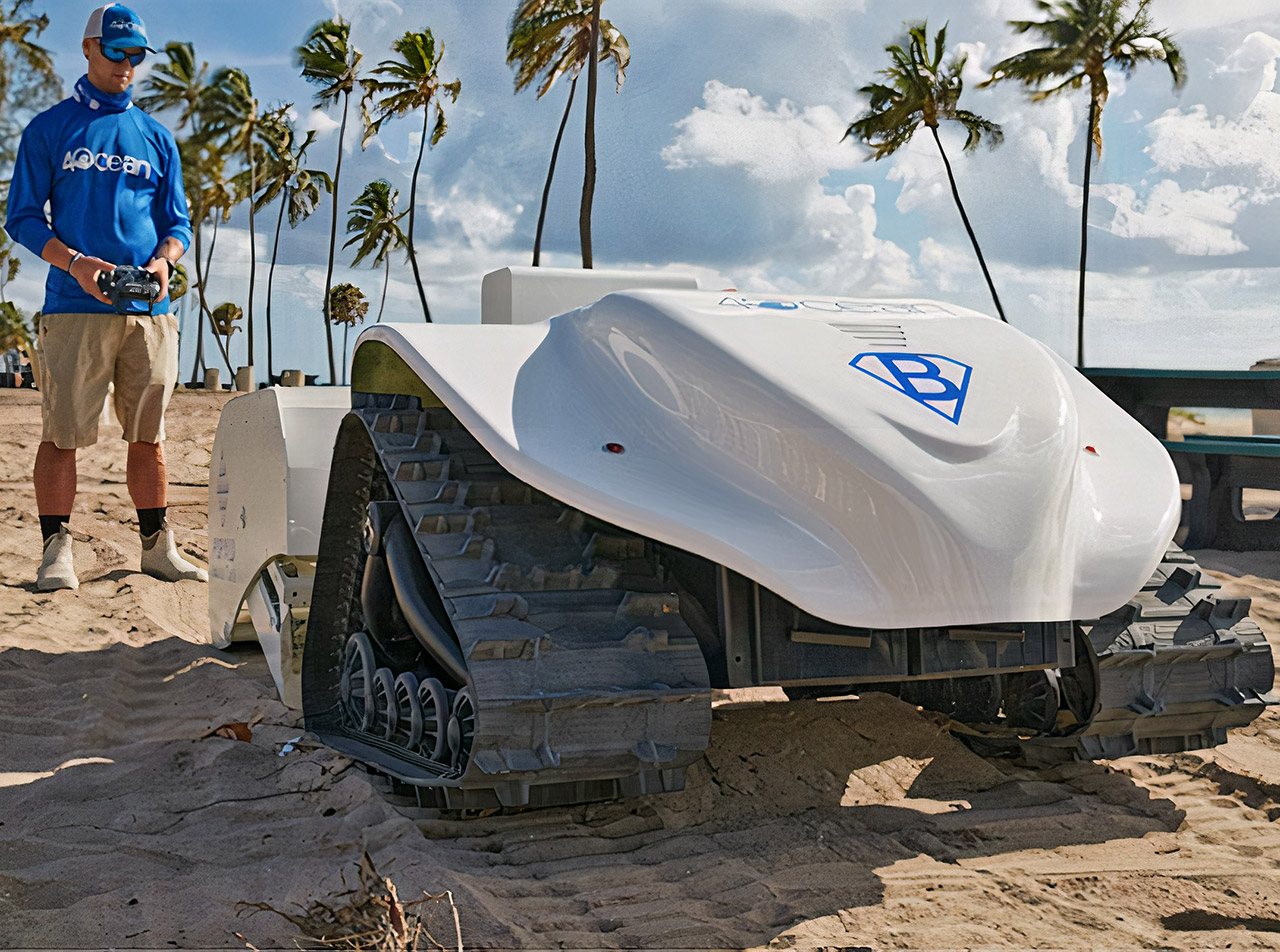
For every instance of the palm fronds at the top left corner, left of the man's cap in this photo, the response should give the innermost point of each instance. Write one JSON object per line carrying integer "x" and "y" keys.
{"x": 29, "y": 80}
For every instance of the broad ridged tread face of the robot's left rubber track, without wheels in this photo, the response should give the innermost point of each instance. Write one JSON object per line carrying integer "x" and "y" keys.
{"x": 584, "y": 689}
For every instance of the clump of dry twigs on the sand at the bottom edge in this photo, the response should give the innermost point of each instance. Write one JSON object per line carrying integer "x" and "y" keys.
{"x": 372, "y": 919}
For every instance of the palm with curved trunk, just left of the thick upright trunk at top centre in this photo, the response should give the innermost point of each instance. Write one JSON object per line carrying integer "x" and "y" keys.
{"x": 550, "y": 39}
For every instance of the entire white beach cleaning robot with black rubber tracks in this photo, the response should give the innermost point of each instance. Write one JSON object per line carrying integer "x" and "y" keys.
{"x": 509, "y": 567}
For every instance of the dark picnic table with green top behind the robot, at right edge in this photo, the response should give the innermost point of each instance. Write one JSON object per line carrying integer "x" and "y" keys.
{"x": 1218, "y": 468}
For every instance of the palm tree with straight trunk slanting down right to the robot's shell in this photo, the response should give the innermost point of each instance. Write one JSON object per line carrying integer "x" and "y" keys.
{"x": 921, "y": 89}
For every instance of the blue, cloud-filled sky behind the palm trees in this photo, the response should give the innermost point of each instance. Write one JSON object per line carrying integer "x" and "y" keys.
{"x": 723, "y": 155}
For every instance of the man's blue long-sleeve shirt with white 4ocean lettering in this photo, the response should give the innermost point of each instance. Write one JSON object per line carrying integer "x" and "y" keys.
{"x": 112, "y": 180}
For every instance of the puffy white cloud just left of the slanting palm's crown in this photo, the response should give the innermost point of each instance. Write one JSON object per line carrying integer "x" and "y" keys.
{"x": 738, "y": 130}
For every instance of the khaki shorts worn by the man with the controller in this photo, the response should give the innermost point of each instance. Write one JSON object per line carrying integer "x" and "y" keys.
{"x": 81, "y": 354}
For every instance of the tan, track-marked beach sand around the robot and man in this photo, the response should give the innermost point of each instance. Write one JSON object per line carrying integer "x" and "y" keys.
{"x": 127, "y": 823}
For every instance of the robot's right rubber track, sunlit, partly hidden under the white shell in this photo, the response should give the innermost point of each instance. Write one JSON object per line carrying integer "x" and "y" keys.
{"x": 1177, "y": 669}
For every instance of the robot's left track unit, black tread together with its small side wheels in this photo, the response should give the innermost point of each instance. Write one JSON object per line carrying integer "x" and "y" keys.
{"x": 583, "y": 680}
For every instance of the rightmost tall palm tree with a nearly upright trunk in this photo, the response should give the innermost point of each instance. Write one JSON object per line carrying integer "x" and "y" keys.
{"x": 1084, "y": 38}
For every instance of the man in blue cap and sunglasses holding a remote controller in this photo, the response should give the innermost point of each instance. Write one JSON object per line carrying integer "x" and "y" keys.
{"x": 116, "y": 225}
